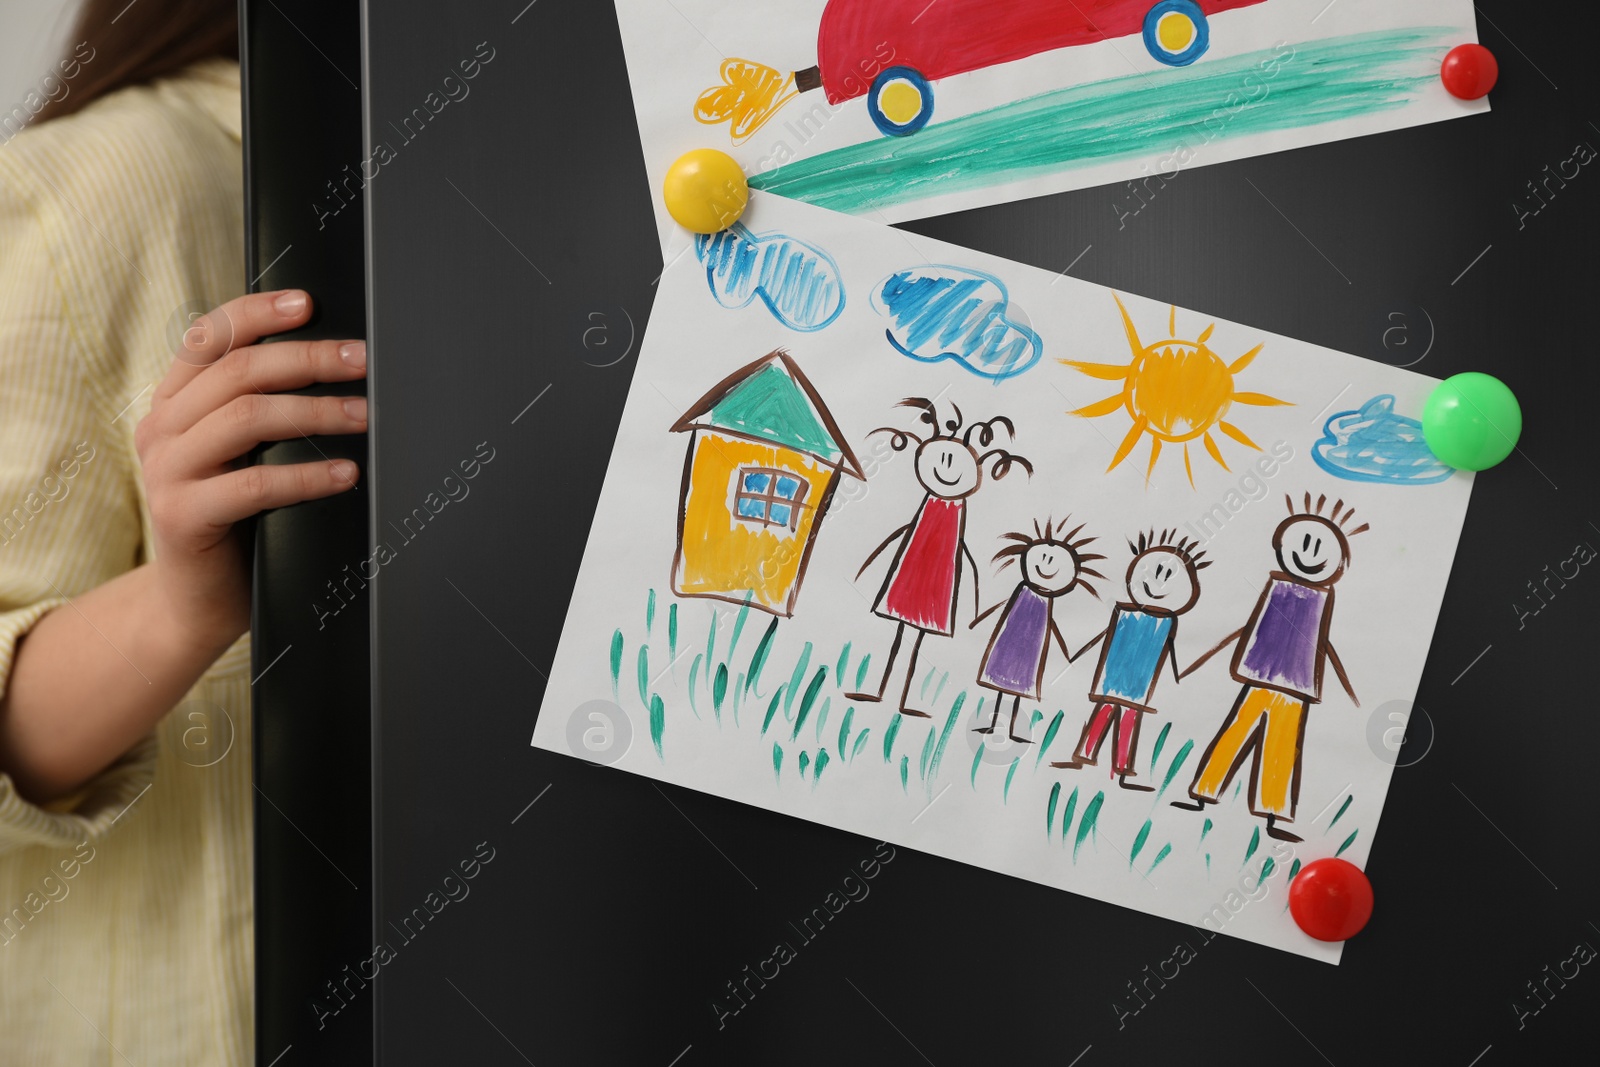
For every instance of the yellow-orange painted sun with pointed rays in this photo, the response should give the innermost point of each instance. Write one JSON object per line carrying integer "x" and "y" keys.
{"x": 1177, "y": 391}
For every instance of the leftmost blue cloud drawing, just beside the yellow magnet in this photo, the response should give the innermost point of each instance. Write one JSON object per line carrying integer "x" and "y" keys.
{"x": 799, "y": 284}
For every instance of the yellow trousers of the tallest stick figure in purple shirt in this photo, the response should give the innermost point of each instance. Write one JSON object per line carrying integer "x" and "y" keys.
{"x": 1268, "y": 724}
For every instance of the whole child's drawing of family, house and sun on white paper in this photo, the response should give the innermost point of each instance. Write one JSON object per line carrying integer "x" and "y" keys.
{"x": 1062, "y": 705}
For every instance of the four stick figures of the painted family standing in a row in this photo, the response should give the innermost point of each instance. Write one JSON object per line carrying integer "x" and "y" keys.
{"x": 1279, "y": 652}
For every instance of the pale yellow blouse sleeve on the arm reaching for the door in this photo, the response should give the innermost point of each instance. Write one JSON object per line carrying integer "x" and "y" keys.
{"x": 70, "y": 500}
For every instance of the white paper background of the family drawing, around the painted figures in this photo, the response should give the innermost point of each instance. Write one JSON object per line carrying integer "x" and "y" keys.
{"x": 833, "y": 292}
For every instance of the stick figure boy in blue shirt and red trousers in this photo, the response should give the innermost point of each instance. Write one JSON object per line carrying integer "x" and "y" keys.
{"x": 1138, "y": 644}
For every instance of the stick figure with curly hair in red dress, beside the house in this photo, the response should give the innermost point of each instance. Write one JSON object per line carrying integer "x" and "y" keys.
{"x": 926, "y": 578}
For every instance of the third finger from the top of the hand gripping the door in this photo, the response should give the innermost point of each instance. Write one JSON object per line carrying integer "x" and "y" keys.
{"x": 247, "y": 422}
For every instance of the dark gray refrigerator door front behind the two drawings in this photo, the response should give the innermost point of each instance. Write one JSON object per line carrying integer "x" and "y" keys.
{"x": 511, "y": 268}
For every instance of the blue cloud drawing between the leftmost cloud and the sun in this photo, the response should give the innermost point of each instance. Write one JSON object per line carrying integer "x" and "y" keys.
{"x": 958, "y": 314}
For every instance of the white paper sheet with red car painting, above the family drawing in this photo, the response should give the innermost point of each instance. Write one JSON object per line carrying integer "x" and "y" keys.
{"x": 1276, "y": 74}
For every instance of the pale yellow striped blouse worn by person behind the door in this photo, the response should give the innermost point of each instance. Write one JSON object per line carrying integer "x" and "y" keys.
{"x": 126, "y": 913}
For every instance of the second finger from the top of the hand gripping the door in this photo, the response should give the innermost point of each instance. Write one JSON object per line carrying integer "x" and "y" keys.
{"x": 265, "y": 369}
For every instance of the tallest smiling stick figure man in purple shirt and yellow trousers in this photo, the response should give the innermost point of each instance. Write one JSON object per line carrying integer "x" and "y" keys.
{"x": 1279, "y": 660}
